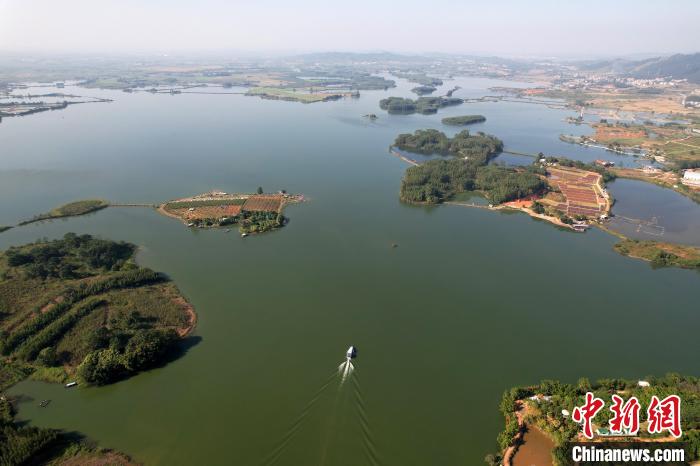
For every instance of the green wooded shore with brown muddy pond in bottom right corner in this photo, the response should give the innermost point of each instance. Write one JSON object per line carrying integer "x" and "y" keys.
{"x": 542, "y": 413}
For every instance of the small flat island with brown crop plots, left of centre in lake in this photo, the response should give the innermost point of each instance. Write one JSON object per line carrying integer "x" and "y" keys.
{"x": 253, "y": 213}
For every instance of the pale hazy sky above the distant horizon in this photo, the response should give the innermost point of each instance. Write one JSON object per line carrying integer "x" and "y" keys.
{"x": 563, "y": 27}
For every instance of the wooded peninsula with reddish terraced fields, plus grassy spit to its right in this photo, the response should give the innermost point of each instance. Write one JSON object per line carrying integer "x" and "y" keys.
{"x": 567, "y": 193}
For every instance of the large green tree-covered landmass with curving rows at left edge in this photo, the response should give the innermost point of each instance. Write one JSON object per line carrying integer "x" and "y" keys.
{"x": 89, "y": 312}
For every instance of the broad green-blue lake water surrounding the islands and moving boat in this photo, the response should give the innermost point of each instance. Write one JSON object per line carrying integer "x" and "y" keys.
{"x": 470, "y": 303}
